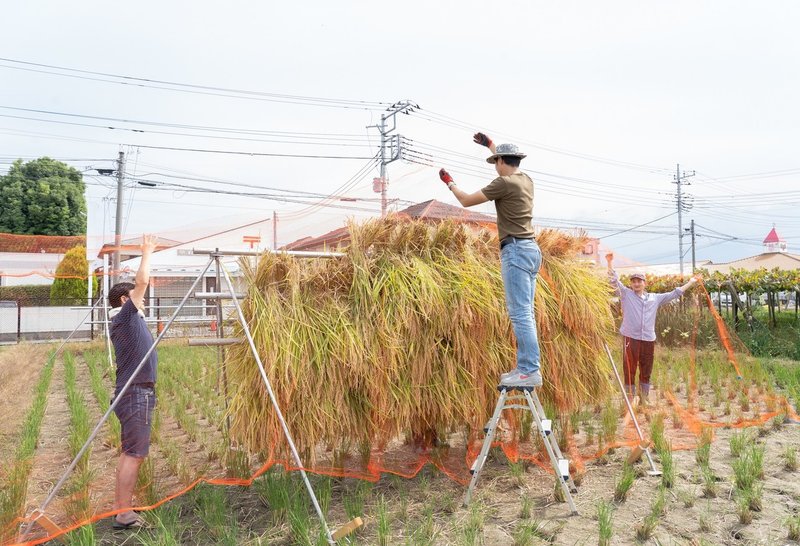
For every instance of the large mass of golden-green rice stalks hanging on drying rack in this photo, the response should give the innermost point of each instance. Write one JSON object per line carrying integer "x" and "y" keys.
{"x": 406, "y": 336}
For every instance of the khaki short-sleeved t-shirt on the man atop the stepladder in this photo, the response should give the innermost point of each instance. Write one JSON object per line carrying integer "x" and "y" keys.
{"x": 513, "y": 200}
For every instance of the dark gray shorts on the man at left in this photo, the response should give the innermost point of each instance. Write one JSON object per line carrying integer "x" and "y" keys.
{"x": 135, "y": 414}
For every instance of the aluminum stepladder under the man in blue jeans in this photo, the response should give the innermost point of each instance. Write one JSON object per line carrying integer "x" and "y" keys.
{"x": 543, "y": 425}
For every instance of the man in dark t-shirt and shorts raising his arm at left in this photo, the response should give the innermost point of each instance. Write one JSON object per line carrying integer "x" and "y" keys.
{"x": 132, "y": 340}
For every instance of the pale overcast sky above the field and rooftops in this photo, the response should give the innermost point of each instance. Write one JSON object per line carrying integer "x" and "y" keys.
{"x": 605, "y": 97}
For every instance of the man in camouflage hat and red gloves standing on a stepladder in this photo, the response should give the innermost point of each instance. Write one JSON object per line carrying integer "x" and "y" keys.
{"x": 520, "y": 257}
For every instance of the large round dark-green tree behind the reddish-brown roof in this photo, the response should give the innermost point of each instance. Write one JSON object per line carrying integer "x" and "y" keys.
{"x": 42, "y": 197}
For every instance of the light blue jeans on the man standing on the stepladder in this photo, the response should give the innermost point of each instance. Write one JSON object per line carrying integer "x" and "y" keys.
{"x": 519, "y": 264}
